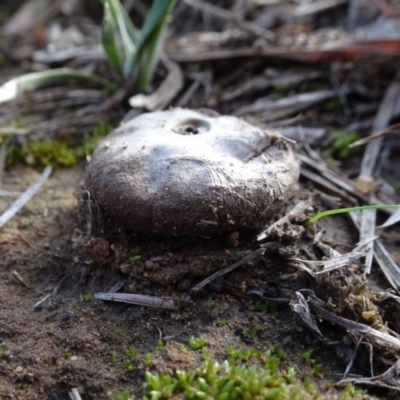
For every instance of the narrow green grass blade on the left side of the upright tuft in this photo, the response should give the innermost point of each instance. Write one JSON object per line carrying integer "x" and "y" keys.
{"x": 109, "y": 40}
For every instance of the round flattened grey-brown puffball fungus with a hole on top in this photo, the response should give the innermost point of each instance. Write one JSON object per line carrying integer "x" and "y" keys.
{"x": 182, "y": 172}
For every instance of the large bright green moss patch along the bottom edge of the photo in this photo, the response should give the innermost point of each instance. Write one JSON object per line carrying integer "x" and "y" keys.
{"x": 257, "y": 378}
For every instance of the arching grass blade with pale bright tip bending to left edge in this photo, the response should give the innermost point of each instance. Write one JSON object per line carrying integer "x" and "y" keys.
{"x": 36, "y": 80}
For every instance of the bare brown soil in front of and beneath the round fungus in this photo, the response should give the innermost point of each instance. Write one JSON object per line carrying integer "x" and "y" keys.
{"x": 68, "y": 342}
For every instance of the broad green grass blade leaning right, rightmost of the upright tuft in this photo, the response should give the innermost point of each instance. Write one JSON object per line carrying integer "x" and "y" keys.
{"x": 150, "y": 41}
